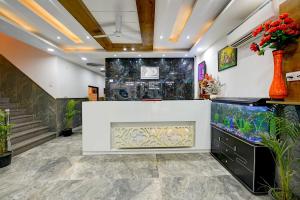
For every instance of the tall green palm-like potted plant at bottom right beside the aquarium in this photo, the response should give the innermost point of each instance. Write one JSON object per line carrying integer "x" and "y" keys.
{"x": 282, "y": 138}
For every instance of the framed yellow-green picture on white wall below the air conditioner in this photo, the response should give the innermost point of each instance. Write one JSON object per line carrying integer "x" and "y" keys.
{"x": 227, "y": 58}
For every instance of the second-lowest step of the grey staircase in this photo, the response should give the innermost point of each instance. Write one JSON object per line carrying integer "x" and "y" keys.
{"x": 30, "y": 133}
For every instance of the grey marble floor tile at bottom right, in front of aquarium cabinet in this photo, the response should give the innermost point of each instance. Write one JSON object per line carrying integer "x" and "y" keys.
{"x": 203, "y": 187}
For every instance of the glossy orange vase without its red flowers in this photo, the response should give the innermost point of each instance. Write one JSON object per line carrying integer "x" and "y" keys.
{"x": 278, "y": 88}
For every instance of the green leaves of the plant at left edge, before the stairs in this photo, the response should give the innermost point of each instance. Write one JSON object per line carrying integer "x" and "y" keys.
{"x": 4, "y": 132}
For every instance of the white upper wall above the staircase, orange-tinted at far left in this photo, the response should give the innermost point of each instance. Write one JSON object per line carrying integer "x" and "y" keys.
{"x": 55, "y": 75}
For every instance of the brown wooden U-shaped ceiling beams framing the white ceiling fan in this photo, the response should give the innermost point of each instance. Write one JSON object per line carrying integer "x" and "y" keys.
{"x": 146, "y": 13}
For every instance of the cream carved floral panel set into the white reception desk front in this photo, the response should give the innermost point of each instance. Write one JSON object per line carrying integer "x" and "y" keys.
{"x": 153, "y": 137}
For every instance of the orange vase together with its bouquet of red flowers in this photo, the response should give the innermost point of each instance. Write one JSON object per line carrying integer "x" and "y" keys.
{"x": 277, "y": 35}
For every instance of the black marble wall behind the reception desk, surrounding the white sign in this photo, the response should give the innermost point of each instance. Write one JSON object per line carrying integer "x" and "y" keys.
{"x": 123, "y": 79}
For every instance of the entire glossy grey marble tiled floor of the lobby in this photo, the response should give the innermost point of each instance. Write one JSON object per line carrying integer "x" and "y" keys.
{"x": 57, "y": 170}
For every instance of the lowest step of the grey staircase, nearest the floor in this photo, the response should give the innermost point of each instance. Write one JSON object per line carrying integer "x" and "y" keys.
{"x": 32, "y": 142}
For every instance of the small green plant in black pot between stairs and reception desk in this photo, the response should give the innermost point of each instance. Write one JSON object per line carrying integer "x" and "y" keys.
{"x": 69, "y": 117}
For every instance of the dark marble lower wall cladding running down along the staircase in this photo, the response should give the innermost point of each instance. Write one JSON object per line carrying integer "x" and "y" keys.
{"x": 15, "y": 85}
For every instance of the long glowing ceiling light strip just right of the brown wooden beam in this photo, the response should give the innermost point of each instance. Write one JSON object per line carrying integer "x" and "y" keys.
{"x": 182, "y": 18}
